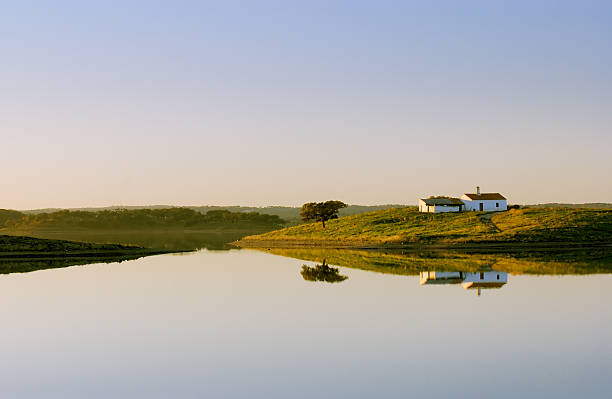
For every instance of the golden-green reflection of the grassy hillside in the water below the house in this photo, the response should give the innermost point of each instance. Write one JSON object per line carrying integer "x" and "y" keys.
{"x": 412, "y": 263}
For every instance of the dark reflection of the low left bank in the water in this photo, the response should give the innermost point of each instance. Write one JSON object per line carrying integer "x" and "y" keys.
{"x": 29, "y": 265}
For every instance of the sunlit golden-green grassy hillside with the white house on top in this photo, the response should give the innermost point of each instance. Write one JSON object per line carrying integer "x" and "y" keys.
{"x": 408, "y": 226}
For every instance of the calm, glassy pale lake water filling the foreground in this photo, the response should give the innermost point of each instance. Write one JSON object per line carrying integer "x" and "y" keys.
{"x": 246, "y": 324}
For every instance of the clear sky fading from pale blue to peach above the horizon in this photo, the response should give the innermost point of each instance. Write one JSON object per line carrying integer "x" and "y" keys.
{"x": 285, "y": 102}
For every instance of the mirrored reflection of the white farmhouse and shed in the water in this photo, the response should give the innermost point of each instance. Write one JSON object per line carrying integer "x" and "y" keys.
{"x": 468, "y": 280}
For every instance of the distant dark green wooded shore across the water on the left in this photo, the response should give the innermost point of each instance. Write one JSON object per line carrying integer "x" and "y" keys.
{"x": 139, "y": 219}
